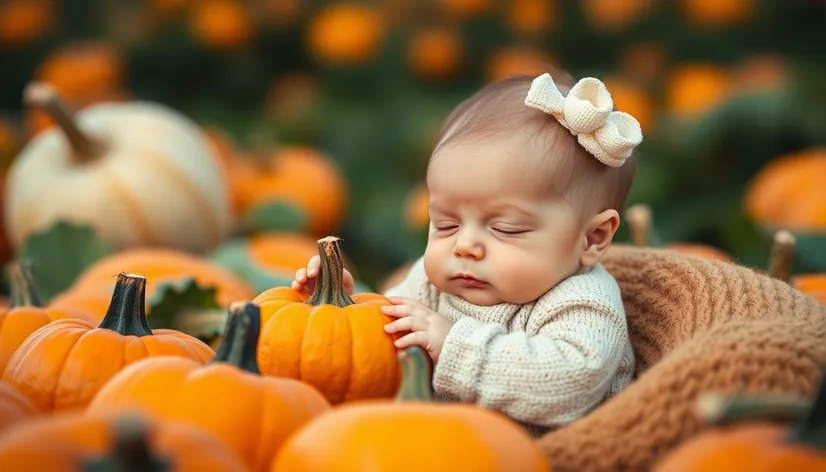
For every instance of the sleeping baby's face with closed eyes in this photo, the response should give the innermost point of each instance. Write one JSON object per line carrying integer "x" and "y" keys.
{"x": 494, "y": 237}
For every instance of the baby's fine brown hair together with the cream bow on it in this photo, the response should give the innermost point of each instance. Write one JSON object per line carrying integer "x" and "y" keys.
{"x": 588, "y": 146}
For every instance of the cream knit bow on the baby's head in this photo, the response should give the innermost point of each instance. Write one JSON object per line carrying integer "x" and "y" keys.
{"x": 586, "y": 112}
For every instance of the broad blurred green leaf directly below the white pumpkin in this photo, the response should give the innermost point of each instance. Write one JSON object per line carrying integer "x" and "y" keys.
{"x": 59, "y": 254}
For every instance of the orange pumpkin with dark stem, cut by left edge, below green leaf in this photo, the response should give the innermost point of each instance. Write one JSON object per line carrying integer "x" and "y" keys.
{"x": 27, "y": 313}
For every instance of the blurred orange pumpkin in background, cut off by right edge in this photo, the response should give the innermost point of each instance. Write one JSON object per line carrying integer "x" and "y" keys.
{"x": 787, "y": 192}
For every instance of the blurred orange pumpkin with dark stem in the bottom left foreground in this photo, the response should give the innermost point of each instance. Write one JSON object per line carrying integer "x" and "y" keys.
{"x": 72, "y": 442}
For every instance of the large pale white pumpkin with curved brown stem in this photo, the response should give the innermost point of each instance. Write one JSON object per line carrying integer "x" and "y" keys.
{"x": 141, "y": 173}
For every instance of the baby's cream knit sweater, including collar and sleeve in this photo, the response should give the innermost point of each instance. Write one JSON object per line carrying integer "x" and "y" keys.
{"x": 545, "y": 363}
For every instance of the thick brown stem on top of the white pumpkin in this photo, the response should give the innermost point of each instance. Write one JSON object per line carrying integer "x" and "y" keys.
{"x": 43, "y": 96}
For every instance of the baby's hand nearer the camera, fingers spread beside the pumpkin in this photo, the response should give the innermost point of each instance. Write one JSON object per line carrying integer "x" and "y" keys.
{"x": 428, "y": 329}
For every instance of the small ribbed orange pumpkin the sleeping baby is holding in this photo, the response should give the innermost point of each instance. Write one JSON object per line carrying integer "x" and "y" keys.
{"x": 333, "y": 341}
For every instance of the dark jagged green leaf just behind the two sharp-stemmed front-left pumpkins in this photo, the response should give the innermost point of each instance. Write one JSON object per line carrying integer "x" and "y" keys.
{"x": 172, "y": 299}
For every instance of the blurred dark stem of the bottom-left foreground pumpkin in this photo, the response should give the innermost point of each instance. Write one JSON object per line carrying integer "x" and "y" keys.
{"x": 130, "y": 451}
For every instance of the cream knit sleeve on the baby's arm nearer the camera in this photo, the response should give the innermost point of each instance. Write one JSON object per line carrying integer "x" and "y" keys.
{"x": 548, "y": 378}
